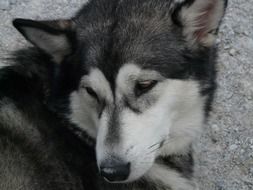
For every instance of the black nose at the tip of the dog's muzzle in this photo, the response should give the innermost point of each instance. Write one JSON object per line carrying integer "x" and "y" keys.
{"x": 115, "y": 171}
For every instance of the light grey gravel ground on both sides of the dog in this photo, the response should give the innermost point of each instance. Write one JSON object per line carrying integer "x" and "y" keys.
{"x": 225, "y": 150}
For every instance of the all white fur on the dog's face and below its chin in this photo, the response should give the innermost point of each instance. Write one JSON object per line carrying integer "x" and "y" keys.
{"x": 175, "y": 115}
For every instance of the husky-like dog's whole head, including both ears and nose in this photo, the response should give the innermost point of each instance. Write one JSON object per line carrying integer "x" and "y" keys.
{"x": 137, "y": 76}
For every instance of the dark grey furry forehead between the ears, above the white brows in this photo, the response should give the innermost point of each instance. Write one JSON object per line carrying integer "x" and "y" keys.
{"x": 135, "y": 31}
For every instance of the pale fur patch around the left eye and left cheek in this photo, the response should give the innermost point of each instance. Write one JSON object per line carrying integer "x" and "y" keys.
{"x": 84, "y": 111}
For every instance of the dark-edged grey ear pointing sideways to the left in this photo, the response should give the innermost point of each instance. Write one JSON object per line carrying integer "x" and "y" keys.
{"x": 56, "y": 38}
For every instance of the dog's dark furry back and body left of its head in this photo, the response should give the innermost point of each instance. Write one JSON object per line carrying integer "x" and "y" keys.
{"x": 36, "y": 152}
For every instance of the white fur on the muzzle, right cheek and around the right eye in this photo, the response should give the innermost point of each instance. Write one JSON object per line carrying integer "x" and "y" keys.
{"x": 175, "y": 116}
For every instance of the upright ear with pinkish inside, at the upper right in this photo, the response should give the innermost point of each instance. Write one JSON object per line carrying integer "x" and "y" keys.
{"x": 200, "y": 19}
